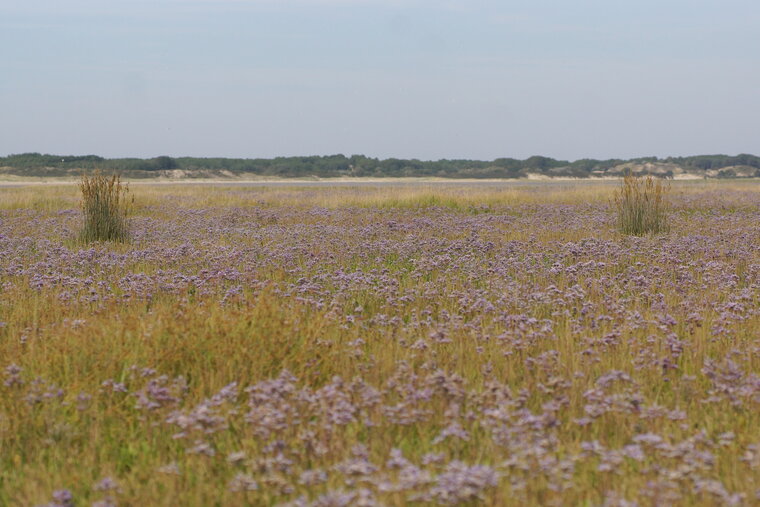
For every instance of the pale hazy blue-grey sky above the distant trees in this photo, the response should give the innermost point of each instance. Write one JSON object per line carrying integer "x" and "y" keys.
{"x": 420, "y": 79}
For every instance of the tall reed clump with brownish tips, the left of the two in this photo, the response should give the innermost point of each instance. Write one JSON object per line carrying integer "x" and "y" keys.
{"x": 106, "y": 208}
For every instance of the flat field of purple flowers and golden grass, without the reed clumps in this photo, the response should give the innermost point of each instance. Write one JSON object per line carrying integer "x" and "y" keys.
{"x": 381, "y": 345}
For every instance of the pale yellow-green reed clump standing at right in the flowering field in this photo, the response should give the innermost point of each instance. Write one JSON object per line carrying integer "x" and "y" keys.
{"x": 642, "y": 205}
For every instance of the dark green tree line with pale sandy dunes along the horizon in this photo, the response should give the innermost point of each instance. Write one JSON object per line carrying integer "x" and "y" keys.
{"x": 33, "y": 164}
